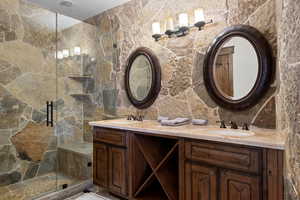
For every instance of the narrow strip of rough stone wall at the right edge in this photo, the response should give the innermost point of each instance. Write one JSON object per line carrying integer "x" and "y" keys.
{"x": 288, "y": 97}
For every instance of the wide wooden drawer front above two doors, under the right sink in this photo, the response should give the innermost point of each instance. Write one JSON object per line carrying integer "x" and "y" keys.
{"x": 227, "y": 156}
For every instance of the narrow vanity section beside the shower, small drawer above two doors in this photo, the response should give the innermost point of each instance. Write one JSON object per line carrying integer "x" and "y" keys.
{"x": 110, "y": 161}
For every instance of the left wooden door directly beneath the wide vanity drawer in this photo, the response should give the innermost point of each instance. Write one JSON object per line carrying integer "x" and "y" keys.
{"x": 201, "y": 182}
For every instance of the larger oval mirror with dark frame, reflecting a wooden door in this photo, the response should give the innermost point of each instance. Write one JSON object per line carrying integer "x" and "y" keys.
{"x": 238, "y": 68}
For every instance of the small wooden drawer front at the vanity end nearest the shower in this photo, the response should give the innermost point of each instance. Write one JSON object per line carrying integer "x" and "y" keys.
{"x": 110, "y": 136}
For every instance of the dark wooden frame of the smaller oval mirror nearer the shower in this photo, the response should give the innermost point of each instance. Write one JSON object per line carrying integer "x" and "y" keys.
{"x": 156, "y": 78}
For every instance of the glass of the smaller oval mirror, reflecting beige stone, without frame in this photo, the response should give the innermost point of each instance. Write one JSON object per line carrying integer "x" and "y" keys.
{"x": 140, "y": 78}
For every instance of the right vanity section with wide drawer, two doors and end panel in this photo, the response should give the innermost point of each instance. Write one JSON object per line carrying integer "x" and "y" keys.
{"x": 232, "y": 172}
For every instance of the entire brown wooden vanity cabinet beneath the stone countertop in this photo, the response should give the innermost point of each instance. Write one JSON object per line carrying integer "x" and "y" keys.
{"x": 145, "y": 166}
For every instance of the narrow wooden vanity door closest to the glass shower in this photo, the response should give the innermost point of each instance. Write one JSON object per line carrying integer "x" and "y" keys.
{"x": 100, "y": 167}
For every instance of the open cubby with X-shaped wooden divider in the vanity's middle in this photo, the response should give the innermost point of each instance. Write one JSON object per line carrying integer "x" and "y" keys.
{"x": 155, "y": 174}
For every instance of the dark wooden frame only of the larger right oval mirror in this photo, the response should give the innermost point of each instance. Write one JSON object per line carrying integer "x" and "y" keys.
{"x": 265, "y": 64}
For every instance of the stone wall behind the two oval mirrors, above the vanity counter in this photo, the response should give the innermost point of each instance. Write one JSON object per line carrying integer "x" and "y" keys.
{"x": 127, "y": 27}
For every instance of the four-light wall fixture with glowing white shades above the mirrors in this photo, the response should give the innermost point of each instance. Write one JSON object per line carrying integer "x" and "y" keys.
{"x": 183, "y": 28}
